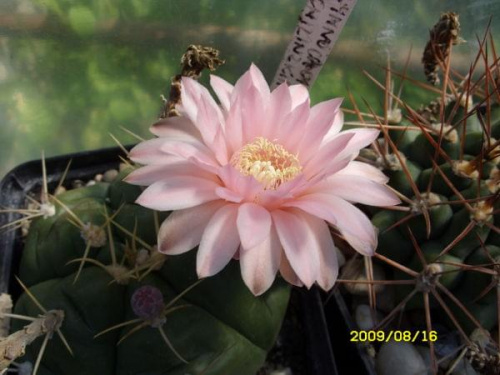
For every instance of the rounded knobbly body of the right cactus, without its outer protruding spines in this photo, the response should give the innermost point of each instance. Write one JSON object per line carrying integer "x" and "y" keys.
{"x": 468, "y": 233}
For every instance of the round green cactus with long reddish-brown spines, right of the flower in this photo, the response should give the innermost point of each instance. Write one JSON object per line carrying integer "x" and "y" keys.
{"x": 442, "y": 246}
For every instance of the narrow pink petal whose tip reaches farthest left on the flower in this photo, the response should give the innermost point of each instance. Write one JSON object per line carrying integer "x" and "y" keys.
{"x": 149, "y": 174}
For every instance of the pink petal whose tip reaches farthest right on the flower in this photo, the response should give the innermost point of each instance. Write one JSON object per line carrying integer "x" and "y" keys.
{"x": 359, "y": 189}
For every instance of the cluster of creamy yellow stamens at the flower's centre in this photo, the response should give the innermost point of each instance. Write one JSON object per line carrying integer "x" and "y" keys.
{"x": 268, "y": 162}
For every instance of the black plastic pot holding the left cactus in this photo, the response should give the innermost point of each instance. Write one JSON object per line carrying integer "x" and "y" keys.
{"x": 14, "y": 187}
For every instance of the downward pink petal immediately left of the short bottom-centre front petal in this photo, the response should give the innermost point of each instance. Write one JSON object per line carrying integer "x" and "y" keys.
{"x": 219, "y": 242}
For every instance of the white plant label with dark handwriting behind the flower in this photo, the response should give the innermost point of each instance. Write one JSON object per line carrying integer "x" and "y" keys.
{"x": 319, "y": 27}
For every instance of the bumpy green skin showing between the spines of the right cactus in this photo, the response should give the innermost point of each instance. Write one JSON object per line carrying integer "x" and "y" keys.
{"x": 448, "y": 221}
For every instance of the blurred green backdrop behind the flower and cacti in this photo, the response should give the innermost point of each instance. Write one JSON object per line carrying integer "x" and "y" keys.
{"x": 73, "y": 71}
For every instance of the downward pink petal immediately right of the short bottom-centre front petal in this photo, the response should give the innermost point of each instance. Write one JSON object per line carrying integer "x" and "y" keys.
{"x": 299, "y": 244}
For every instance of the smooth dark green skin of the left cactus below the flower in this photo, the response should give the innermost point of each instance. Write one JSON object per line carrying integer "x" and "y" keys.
{"x": 225, "y": 329}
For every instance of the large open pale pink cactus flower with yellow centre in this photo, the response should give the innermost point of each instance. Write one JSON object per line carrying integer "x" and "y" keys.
{"x": 259, "y": 178}
